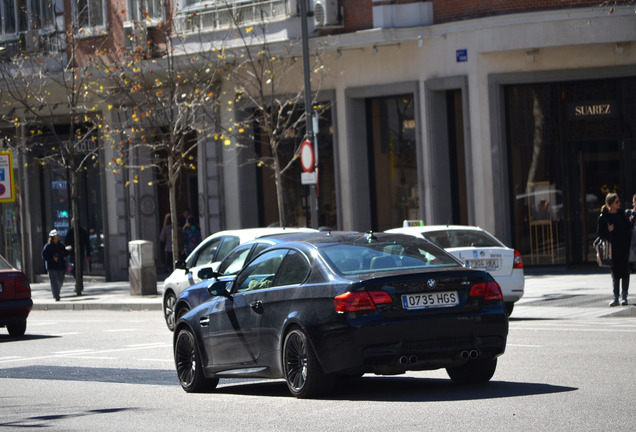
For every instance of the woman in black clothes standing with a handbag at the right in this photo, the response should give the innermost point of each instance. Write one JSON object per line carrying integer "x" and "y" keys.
{"x": 613, "y": 225}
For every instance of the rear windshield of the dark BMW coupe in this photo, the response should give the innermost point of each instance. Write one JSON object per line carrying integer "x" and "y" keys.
{"x": 351, "y": 259}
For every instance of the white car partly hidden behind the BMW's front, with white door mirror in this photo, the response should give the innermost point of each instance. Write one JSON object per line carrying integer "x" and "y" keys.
{"x": 209, "y": 254}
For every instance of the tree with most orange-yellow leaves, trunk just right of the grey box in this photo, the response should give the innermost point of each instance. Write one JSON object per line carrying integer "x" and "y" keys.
{"x": 163, "y": 95}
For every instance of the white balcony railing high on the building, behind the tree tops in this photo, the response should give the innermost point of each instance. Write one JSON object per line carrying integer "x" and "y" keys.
{"x": 216, "y": 17}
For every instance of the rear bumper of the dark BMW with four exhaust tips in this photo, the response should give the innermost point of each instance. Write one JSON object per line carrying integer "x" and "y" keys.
{"x": 393, "y": 348}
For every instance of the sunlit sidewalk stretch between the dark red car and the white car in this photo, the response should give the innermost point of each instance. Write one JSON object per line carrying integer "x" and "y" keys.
{"x": 97, "y": 294}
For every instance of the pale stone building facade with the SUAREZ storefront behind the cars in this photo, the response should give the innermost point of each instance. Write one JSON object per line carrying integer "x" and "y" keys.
{"x": 515, "y": 116}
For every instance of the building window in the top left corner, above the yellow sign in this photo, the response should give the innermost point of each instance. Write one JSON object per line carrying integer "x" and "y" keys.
{"x": 24, "y": 15}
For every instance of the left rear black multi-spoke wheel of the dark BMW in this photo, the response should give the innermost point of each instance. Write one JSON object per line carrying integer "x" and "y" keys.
{"x": 303, "y": 373}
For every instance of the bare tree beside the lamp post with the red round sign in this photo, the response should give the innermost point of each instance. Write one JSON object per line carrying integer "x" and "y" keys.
{"x": 267, "y": 79}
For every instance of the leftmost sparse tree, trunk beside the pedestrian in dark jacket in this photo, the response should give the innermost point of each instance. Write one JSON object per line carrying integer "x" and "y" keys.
{"x": 47, "y": 99}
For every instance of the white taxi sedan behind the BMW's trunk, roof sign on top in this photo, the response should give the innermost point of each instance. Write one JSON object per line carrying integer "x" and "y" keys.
{"x": 478, "y": 249}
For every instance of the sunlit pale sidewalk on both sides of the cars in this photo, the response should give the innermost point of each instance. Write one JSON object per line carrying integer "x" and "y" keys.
{"x": 561, "y": 293}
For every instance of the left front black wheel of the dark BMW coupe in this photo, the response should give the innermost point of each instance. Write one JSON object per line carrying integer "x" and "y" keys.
{"x": 189, "y": 367}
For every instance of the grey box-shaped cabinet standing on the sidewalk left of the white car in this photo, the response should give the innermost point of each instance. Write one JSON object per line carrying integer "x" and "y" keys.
{"x": 142, "y": 272}
